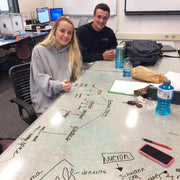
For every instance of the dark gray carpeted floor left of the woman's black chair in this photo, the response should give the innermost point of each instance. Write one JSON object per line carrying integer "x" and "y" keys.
{"x": 11, "y": 125}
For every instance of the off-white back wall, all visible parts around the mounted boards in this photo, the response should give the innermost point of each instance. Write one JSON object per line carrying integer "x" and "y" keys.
{"x": 165, "y": 27}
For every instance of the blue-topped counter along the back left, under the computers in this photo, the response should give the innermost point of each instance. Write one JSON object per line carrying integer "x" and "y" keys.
{"x": 33, "y": 35}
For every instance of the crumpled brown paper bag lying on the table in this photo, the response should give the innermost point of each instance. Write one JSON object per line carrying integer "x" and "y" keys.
{"x": 144, "y": 74}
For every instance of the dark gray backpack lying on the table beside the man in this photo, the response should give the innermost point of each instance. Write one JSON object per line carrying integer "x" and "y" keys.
{"x": 143, "y": 52}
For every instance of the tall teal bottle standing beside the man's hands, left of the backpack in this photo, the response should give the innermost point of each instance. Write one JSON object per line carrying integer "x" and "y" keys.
{"x": 119, "y": 60}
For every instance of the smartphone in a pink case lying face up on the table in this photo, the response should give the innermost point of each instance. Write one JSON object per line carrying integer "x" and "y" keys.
{"x": 156, "y": 155}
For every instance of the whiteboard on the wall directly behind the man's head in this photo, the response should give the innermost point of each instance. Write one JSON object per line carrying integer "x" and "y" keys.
{"x": 84, "y": 7}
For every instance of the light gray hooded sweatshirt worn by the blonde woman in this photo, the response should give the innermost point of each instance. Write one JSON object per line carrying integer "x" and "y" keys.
{"x": 49, "y": 68}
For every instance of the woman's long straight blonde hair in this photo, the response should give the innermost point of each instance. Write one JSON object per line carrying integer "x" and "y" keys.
{"x": 74, "y": 52}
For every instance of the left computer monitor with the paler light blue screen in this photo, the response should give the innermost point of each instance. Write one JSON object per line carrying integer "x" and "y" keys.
{"x": 43, "y": 15}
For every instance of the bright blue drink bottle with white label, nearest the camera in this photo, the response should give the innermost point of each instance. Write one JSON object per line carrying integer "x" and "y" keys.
{"x": 164, "y": 97}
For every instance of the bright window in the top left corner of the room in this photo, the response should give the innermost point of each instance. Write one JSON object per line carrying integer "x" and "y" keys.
{"x": 9, "y": 6}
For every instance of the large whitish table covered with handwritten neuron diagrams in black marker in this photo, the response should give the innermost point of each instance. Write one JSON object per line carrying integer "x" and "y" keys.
{"x": 89, "y": 134}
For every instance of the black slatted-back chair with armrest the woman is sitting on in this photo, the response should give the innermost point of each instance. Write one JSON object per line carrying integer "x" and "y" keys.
{"x": 20, "y": 78}
